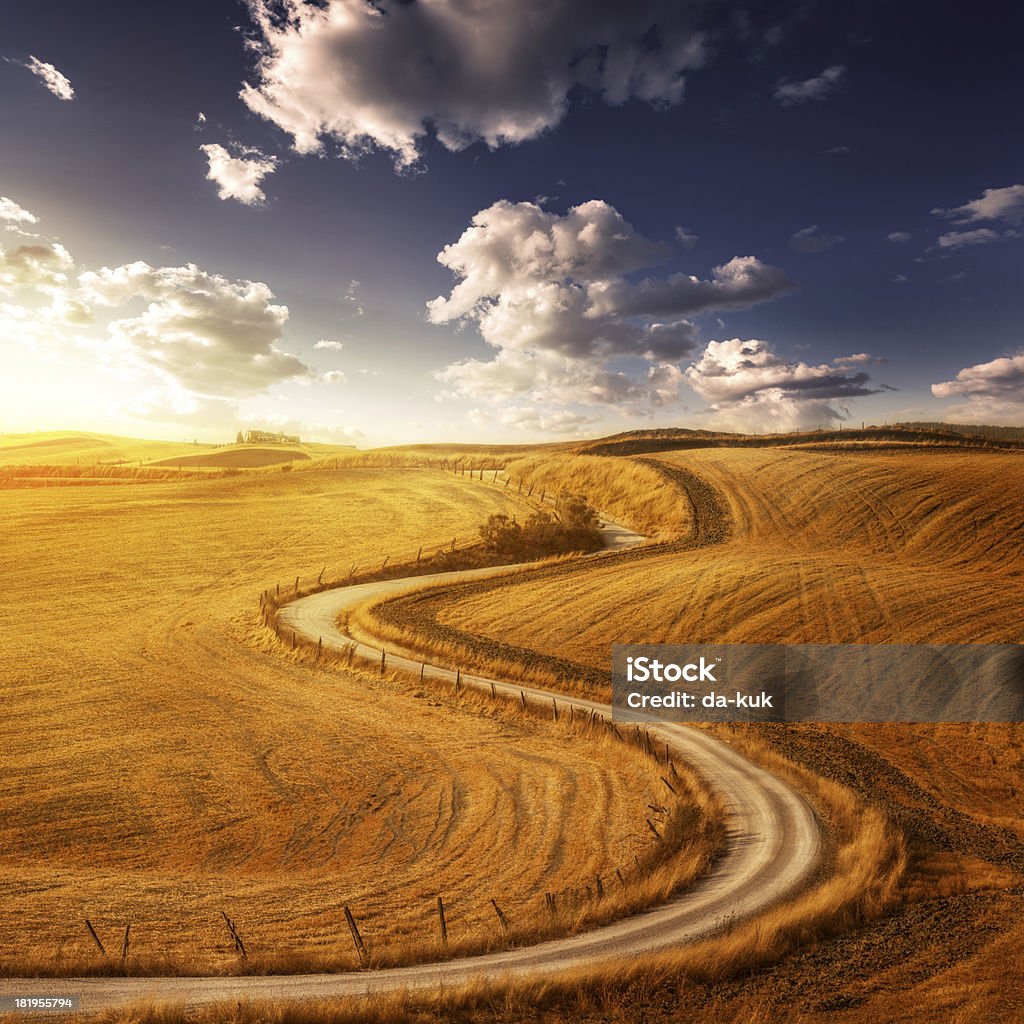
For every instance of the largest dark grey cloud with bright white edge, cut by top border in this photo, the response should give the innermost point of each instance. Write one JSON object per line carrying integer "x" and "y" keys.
{"x": 383, "y": 75}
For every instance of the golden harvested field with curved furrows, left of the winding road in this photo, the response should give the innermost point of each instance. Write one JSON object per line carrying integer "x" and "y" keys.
{"x": 164, "y": 759}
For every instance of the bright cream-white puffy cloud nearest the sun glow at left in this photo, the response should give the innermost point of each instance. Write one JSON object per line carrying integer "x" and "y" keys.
{"x": 207, "y": 334}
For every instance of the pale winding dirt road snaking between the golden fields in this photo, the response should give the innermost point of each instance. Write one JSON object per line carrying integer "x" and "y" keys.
{"x": 774, "y": 847}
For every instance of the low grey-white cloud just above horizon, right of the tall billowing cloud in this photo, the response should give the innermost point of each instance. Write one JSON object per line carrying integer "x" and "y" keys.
{"x": 750, "y": 388}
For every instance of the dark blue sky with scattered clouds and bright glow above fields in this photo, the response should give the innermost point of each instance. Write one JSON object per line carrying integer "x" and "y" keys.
{"x": 508, "y": 221}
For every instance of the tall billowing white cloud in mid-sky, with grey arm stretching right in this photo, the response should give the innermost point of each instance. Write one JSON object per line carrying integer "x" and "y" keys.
{"x": 551, "y": 293}
